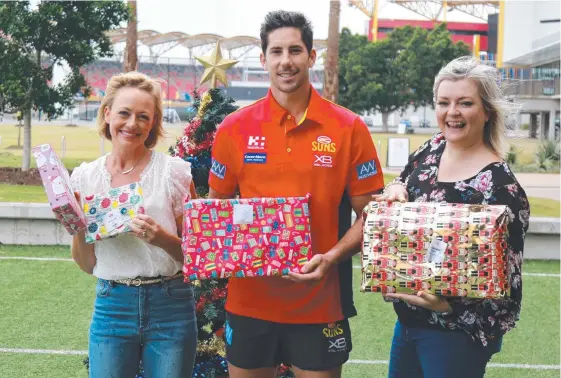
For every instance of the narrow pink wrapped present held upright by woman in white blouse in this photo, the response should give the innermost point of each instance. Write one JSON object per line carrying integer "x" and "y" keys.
{"x": 56, "y": 182}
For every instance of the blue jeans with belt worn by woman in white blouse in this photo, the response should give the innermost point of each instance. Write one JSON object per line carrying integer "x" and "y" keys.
{"x": 153, "y": 323}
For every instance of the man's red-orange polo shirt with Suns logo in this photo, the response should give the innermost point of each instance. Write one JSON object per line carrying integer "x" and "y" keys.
{"x": 264, "y": 152}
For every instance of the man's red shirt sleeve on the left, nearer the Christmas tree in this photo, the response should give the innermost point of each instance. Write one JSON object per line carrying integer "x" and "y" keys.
{"x": 222, "y": 177}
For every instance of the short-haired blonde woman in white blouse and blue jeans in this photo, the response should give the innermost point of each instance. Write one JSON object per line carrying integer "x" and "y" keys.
{"x": 143, "y": 310}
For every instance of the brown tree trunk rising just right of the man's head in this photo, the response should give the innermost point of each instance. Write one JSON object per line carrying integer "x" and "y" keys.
{"x": 331, "y": 71}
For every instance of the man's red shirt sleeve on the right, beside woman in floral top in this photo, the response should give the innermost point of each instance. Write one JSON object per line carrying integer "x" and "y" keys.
{"x": 365, "y": 174}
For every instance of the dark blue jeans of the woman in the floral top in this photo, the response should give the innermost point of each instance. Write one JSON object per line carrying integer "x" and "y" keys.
{"x": 430, "y": 353}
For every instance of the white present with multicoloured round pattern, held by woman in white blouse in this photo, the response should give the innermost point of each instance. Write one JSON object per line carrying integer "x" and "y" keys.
{"x": 109, "y": 214}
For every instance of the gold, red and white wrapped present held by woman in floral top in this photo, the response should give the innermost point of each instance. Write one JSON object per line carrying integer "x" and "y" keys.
{"x": 444, "y": 249}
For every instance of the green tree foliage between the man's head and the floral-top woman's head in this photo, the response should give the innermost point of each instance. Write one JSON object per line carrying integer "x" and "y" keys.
{"x": 394, "y": 73}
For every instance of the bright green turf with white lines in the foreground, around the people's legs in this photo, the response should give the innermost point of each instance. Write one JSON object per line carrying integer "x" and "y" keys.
{"x": 48, "y": 304}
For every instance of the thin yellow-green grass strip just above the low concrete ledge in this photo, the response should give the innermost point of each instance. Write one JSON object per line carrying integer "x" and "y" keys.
{"x": 540, "y": 207}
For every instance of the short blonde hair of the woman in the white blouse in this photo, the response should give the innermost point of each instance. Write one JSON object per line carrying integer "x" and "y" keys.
{"x": 142, "y": 82}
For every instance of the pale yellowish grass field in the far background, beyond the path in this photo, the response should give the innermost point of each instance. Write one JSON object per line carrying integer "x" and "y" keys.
{"x": 83, "y": 143}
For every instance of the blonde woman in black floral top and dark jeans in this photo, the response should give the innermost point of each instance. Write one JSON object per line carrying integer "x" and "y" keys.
{"x": 442, "y": 337}
